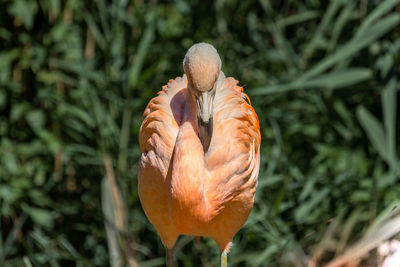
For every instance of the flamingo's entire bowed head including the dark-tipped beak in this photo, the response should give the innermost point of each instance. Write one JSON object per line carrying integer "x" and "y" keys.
{"x": 202, "y": 66}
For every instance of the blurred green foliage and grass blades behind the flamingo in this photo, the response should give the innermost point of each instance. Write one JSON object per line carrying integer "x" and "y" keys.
{"x": 75, "y": 77}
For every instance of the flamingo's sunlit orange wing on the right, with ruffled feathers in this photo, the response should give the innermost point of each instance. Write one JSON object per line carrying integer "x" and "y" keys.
{"x": 234, "y": 155}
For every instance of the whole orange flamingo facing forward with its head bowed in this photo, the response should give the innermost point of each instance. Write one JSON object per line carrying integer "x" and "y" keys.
{"x": 200, "y": 143}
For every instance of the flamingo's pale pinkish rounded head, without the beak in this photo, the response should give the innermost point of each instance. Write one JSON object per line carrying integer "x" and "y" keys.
{"x": 202, "y": 66}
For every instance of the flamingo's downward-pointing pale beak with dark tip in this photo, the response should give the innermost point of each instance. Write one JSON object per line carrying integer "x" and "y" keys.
{"x": 204, "y": 103}
